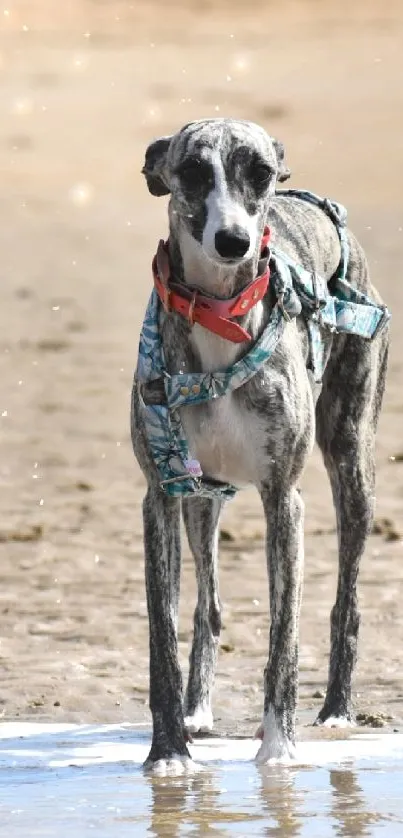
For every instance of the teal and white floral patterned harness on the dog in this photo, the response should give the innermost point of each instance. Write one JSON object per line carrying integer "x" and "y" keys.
{"x": 298, "y": 291}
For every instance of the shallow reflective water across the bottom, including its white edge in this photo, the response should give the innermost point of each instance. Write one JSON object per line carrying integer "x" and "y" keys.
{"x": 59, "y": 779}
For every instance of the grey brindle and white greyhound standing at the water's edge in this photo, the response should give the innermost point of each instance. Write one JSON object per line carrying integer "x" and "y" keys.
{"x": 221, "y": 176}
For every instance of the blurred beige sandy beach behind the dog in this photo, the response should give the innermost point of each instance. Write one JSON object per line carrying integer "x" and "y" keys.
{"x": 84, "y": 86}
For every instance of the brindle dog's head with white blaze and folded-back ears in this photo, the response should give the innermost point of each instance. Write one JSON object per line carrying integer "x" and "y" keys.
{"x": 220, "y": 174}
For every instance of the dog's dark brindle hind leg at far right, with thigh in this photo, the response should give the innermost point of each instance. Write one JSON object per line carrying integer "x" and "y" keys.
{"x": 347, "y": 415}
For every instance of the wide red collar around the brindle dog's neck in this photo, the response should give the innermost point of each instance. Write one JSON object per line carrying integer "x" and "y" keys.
{"x": 214, "y": 313}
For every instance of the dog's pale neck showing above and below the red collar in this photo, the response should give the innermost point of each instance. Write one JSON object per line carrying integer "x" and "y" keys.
{"x": 190, "y": 265}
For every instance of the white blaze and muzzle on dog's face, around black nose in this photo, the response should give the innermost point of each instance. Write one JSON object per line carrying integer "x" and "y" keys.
{"x": 226, "y": 214}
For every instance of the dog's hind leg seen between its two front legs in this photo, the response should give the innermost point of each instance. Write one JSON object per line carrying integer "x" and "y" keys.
{"x": 201, "y": 516}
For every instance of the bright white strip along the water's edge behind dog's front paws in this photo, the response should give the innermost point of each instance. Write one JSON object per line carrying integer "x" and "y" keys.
{"x": 57, "y": 746}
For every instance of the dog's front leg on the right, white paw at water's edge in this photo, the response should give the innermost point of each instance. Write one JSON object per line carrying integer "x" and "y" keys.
{"x": 285, "y": 554}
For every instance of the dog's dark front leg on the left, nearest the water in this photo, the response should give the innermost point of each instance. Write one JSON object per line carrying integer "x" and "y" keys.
{"x": 169, "y": 753}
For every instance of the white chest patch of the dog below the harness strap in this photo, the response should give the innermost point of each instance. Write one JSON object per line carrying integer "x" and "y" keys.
{"x": 226, "y": 439}
